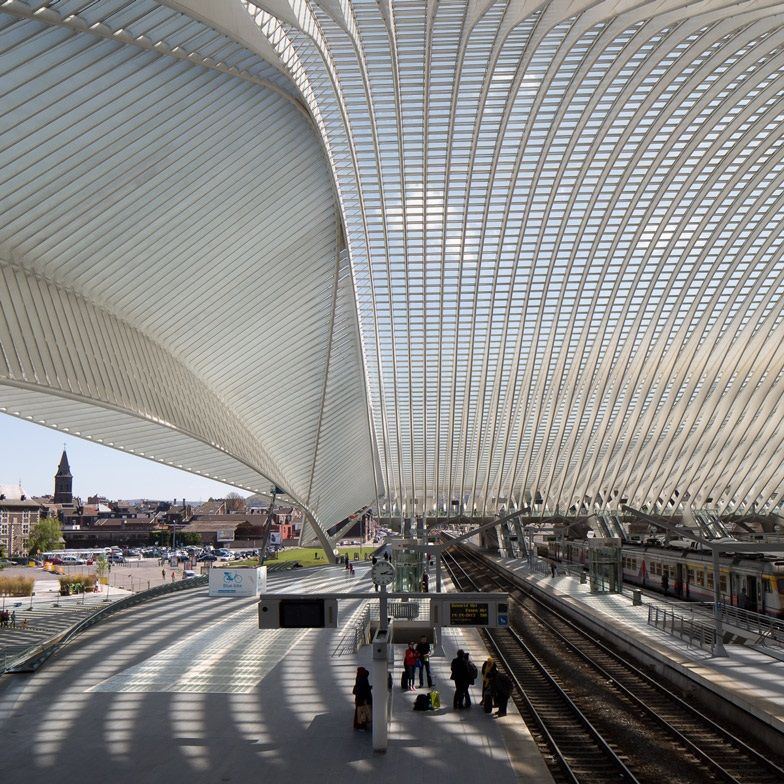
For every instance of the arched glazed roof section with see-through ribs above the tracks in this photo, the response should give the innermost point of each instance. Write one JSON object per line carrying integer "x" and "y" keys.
{"x": 565, "y": 224}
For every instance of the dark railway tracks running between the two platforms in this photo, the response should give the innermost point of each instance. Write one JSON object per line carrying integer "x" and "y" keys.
{"x": 596, "y": 717}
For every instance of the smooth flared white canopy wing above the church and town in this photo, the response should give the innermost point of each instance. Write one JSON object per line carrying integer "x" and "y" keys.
{"x": 171, "y": 252}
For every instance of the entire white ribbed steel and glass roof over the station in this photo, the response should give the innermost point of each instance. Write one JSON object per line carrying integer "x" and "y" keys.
{"x": 534, "y": 249}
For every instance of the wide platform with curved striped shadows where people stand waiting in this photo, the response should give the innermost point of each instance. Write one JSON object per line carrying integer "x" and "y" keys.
{"x": 187, "y": 688}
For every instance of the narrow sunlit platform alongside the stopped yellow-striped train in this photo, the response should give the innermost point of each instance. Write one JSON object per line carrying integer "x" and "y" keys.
{"x": 749, "y": 678}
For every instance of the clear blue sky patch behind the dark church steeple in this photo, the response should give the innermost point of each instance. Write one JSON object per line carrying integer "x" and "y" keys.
{"x": 32, "y": 453}
